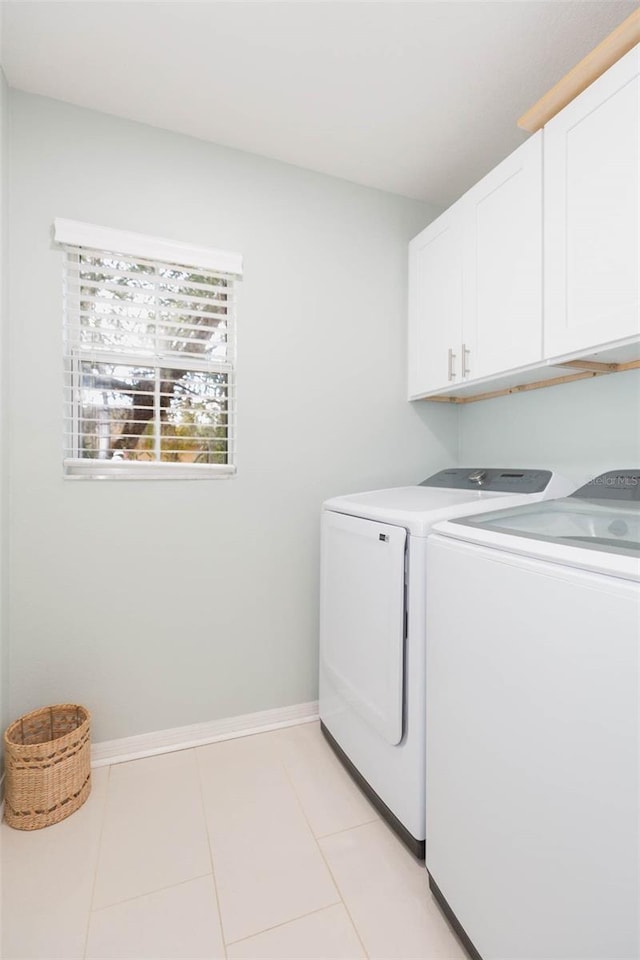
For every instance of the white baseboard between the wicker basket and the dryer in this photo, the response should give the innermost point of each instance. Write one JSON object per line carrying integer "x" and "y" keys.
{"x": 199, "y": 734}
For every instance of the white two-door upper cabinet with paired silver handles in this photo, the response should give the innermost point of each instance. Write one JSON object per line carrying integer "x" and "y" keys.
{"x": 475, "y": 280}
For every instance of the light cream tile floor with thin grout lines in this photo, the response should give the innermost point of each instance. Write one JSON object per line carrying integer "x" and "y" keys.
{"x": 260, "y": 848}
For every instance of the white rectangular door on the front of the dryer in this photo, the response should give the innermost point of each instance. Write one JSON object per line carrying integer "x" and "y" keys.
{"x": 362, "y": 617}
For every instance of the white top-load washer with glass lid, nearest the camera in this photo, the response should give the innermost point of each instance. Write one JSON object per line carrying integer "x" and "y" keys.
{"x": 533, "y": 725}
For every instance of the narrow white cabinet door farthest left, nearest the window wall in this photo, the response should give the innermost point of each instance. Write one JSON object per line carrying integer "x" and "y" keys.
{"x": 435, "y": 304}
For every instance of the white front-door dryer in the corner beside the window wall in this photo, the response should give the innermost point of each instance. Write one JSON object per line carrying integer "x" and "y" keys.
{"x": 373, "y": 603}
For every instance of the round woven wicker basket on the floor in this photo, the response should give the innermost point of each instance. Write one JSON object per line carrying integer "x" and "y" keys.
{"x": 47, "y": 765}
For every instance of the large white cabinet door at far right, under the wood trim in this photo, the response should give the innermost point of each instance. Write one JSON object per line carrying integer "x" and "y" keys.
{"x": 592, "y": 214}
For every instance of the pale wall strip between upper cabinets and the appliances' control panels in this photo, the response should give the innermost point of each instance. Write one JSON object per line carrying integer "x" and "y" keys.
{"x": 581, "y": 428}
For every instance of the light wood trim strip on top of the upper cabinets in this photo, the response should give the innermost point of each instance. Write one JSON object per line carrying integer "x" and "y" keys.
{"x": 612, "y": 48}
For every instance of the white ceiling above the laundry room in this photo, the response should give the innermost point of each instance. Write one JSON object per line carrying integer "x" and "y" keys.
{"x": 417, "y": 98}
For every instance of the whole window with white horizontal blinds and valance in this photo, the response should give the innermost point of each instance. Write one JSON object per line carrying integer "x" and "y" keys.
{"x": 149, "y": 356}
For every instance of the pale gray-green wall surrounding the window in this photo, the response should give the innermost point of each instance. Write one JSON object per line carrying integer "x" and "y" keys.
{"x": 169, "y": 603}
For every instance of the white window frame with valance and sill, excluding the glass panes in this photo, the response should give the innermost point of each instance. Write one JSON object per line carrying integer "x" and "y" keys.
{"x": 78, "y": 238}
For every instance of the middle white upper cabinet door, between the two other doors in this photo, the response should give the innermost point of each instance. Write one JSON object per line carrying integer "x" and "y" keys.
{"x": 503, "y": 265}
